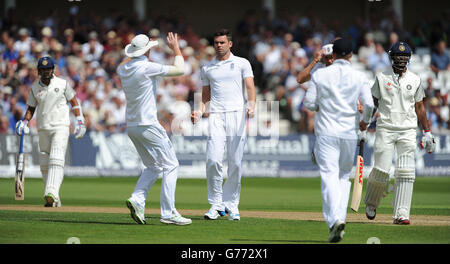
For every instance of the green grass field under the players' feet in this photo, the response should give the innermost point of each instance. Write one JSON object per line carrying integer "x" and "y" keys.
{"x": 431, "y": 198}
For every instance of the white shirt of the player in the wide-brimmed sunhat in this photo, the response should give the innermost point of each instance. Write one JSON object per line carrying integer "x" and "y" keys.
{"x": 140, "y": 79}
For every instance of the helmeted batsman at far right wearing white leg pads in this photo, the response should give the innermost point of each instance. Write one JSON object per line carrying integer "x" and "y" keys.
{"x": 398, "y": 96}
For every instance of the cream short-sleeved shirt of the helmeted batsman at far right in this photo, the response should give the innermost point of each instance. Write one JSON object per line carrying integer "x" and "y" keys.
{"x": 397, "y": 98}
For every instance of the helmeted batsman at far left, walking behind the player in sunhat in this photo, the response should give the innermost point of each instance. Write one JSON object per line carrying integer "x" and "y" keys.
{"x": 50, "y": 96}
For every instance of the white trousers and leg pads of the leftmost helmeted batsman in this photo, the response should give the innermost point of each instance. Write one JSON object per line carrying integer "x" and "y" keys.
{"x": 52, "y": 153}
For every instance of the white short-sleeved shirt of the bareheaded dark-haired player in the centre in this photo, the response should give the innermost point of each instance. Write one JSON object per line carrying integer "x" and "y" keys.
{"x": 226, "y": 81}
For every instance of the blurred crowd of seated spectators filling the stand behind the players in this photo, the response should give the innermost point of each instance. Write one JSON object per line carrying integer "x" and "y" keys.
{"x": 87, "y": 50}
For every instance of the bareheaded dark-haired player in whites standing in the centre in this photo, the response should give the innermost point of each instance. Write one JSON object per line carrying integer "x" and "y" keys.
{"x": 223, "y": 81}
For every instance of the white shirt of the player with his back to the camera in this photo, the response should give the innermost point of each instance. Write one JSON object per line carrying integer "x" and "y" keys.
{"x": 334, "y": 94}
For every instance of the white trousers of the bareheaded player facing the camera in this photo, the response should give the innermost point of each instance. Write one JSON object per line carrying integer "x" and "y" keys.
{"x": 227, "y": 131}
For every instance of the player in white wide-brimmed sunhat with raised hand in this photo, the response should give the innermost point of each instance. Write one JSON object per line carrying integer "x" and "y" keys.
{"x": 140, "y": 78}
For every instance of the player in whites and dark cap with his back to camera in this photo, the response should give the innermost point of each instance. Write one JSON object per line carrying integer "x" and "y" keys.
{"x": 333, "y": 95}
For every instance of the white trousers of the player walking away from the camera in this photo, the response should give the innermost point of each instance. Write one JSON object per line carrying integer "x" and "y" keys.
{"x": 335, "y": 158}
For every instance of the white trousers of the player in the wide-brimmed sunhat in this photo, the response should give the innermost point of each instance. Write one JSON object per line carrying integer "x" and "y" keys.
{"x": 157, "y": 153}
